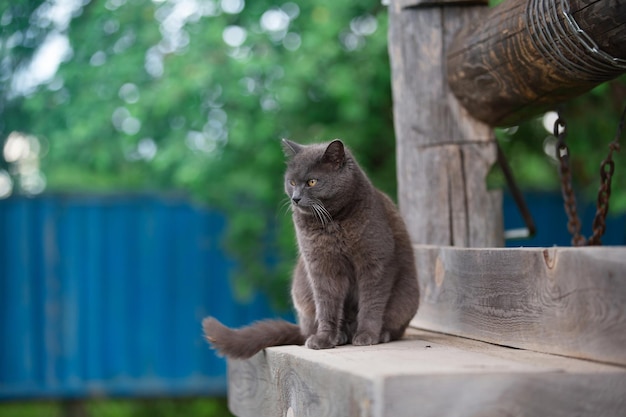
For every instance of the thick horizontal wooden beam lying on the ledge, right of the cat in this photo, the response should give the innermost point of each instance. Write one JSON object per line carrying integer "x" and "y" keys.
{"x": 567, "y": 301}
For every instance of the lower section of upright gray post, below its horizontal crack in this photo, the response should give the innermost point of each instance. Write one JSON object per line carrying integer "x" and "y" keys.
{"x": 444, "y": 199}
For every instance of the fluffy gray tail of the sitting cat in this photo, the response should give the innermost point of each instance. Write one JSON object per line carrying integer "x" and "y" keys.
{"x": 245, "y": 342}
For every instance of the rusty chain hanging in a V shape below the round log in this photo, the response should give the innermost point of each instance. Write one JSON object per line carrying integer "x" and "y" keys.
{"x": 607, "y": 169}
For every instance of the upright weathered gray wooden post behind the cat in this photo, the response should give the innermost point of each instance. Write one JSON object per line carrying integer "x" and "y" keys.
{"x": 443, "y": 153}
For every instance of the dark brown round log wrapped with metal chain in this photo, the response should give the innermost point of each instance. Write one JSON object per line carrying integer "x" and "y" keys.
{"x": 524, "y": 56}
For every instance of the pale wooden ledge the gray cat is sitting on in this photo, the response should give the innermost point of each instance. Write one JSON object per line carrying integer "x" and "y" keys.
{"x": 424, "y": 375}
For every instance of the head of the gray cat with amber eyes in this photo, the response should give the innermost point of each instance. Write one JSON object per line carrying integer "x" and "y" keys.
{"x": 319, "y": 178}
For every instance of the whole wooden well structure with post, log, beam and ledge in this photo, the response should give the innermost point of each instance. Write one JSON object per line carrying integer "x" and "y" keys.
{"x": 524, "y": 332}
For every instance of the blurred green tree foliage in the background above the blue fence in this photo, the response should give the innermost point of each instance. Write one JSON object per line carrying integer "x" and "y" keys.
{"x": 194, "y": 95}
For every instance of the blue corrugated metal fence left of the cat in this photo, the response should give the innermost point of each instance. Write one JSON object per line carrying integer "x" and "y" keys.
{"x": 104, "y": 296}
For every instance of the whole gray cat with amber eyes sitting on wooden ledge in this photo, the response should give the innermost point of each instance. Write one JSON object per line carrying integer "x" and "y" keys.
{"x": 355, "y": 280}
